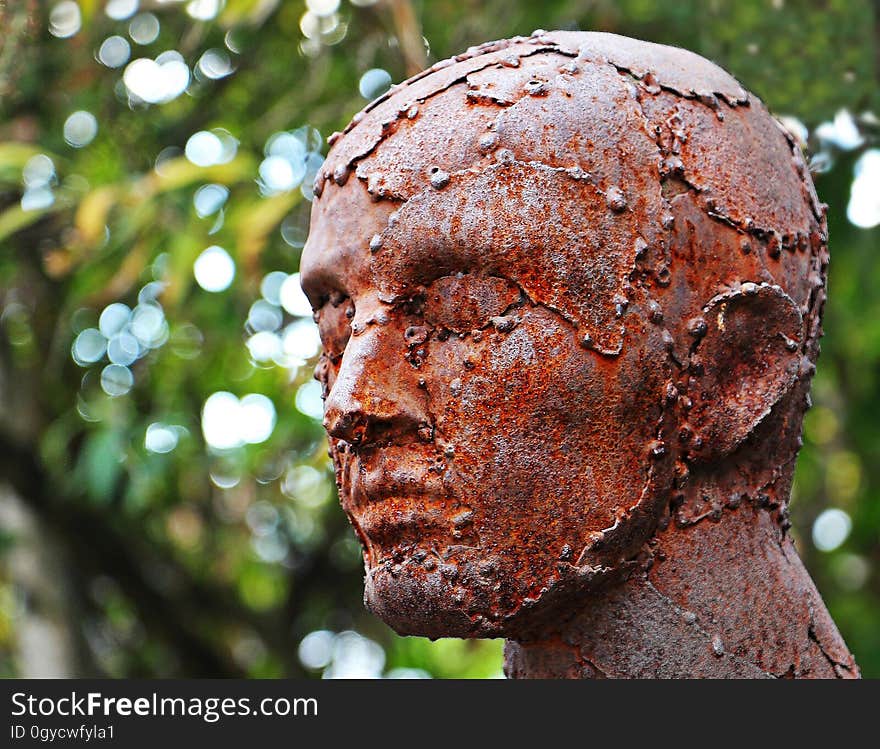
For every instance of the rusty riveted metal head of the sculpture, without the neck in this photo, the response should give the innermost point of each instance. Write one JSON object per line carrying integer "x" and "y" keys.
{"x": 562, "y": 283}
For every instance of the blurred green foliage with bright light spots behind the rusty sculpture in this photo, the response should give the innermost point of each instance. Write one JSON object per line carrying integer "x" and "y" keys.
{"x": 203, "y": 562}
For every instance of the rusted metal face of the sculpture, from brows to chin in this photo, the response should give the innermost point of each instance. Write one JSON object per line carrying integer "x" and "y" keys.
{"x": 481, "y": 447}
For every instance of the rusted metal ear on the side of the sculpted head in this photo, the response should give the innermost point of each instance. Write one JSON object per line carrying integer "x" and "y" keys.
{"x": 747, "y": 360}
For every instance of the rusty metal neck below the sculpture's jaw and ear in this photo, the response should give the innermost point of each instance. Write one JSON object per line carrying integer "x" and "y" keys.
{"x": 722, "y": 598}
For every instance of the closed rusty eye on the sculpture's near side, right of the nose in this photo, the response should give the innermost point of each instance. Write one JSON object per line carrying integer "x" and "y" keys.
{"x": 465, "y": 302}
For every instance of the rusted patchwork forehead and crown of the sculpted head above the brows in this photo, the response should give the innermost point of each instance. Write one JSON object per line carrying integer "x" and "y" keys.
{"x": 555, "y": 161}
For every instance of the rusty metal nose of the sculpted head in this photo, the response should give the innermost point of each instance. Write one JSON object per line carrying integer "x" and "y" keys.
{"x": 373, "y": 397}
